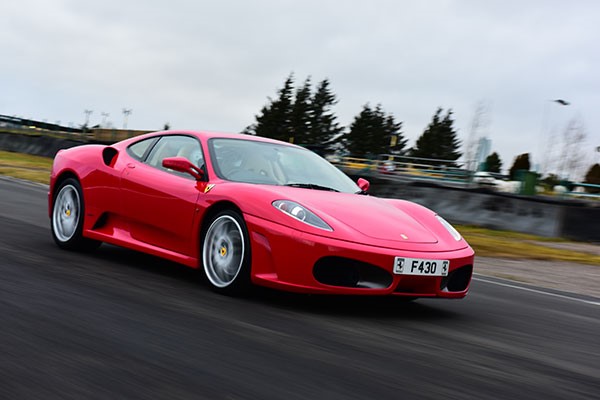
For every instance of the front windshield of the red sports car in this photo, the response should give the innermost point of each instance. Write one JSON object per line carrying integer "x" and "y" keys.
{"x": 250, "y": 161}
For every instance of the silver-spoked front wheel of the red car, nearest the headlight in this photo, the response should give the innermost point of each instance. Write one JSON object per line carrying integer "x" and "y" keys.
{"x": 226, "y": 253}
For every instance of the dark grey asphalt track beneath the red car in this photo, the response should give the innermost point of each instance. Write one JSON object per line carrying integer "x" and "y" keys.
{"x": 116, "y": 324}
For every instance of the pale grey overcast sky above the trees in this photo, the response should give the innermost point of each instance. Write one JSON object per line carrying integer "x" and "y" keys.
{"x": 212, "y": 65}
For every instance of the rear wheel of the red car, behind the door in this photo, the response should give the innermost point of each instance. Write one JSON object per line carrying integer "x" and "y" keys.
{"x": 67, "y": 217}
